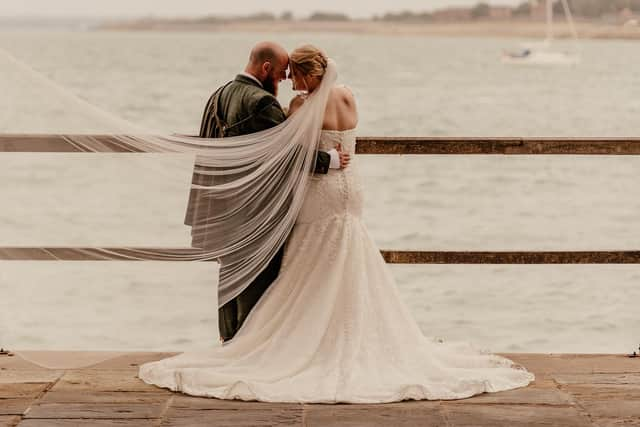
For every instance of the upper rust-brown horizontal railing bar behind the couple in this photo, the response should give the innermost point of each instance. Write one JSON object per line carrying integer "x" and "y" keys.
{"x": 366, "y": 145}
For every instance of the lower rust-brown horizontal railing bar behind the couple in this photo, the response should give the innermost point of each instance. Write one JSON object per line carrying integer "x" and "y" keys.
{"x": 390, "y": 256}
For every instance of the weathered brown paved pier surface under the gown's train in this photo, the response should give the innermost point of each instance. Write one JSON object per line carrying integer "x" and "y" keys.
{"x": 570, "y": 390}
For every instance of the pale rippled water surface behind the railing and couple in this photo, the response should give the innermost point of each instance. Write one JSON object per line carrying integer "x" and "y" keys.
{"x": 404, "y": 86}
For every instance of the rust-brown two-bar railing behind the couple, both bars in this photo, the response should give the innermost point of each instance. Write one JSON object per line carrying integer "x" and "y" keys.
{"x": 365, "y": 145}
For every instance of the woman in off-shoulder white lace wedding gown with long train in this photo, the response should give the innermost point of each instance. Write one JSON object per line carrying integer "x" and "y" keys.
{"x": 332, "y": 327}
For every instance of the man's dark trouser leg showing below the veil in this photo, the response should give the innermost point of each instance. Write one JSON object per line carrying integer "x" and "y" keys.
{"x": 232, "y": 315}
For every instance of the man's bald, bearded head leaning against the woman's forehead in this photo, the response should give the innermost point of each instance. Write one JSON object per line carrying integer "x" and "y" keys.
{"x": 268, "y": 62}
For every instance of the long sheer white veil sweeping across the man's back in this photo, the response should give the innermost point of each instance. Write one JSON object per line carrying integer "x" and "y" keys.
{"x": 256, "y": 185}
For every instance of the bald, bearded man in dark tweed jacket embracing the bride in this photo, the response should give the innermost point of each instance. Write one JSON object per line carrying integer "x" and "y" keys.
{"x": 246, "y": 105}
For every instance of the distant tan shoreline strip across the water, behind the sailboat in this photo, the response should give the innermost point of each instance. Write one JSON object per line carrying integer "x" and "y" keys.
{"x": 515, "y": 29}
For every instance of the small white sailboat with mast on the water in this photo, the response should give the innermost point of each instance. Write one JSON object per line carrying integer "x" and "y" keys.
{"x": 545, "y": 53}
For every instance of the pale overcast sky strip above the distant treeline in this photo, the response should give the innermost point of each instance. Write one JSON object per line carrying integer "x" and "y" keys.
{"x": 71, "y": 8}
